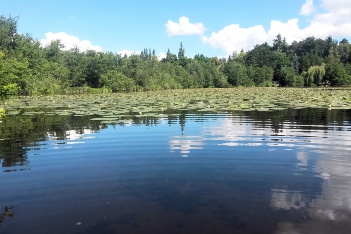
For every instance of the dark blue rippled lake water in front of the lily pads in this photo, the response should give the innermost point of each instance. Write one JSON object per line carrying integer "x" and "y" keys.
{"x": 243, "y": 172}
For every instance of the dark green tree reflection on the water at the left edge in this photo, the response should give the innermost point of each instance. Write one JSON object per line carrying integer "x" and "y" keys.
{"x": 22, "y": 133}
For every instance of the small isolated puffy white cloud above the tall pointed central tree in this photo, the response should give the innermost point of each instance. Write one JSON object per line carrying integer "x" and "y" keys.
{"x": 184, "y": 27}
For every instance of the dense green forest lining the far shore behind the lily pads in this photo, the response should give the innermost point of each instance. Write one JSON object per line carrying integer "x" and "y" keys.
{"x": 27, "y": 67}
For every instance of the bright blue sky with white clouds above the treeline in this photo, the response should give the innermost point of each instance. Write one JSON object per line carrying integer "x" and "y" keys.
{"x": 212, "y": 28}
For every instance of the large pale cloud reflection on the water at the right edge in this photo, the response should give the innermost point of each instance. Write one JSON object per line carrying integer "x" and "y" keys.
{"x": 331, "y": 208}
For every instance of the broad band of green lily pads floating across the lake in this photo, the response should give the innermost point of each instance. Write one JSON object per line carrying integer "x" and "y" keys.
{"x": 121, "y": 107}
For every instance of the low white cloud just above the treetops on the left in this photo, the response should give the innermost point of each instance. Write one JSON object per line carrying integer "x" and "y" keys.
{"x": 69, "y": 41}
